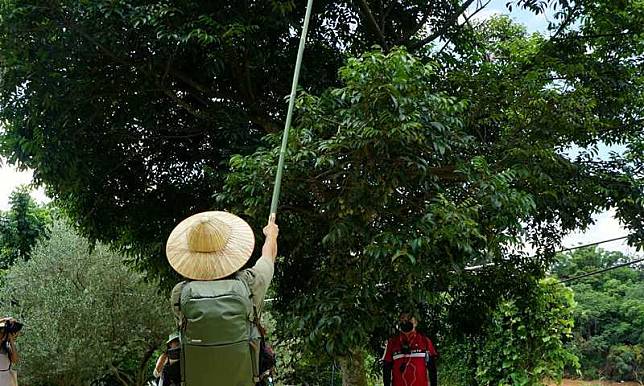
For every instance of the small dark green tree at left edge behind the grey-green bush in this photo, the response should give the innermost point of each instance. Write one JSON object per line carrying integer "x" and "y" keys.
{"x": 21, "y": 227}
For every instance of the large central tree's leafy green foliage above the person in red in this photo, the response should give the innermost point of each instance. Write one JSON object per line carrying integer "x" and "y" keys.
{"x": 387, "y": 199}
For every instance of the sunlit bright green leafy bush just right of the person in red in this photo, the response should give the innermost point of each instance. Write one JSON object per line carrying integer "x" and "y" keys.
{"x": 525, "y": 342}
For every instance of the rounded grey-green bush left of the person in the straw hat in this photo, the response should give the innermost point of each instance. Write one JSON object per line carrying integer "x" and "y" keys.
{"x": 87, "y": 317}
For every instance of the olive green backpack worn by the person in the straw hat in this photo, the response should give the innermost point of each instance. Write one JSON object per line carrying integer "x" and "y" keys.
{"x": 219, "y": 340}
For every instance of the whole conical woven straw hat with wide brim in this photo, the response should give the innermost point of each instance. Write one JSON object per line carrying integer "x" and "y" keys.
{"x": 210, "y": 245}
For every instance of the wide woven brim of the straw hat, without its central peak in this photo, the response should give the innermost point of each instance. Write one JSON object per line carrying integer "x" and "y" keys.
{"x": 210, "y": 265}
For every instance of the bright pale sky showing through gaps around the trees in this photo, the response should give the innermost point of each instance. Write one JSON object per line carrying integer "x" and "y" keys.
{"x": 606, "y": 226}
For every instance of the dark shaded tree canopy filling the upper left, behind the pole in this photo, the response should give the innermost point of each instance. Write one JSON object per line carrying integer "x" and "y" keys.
{"x": 121, "y": 107}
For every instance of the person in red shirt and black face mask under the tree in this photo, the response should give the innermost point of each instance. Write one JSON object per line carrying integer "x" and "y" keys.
{"x": 410, "y": 357}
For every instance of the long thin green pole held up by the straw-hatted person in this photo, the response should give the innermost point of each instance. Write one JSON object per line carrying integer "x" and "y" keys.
{"x": 289, "y": 115}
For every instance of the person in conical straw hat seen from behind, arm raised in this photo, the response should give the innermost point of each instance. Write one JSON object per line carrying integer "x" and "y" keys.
{"x": 218, "y": 306}
